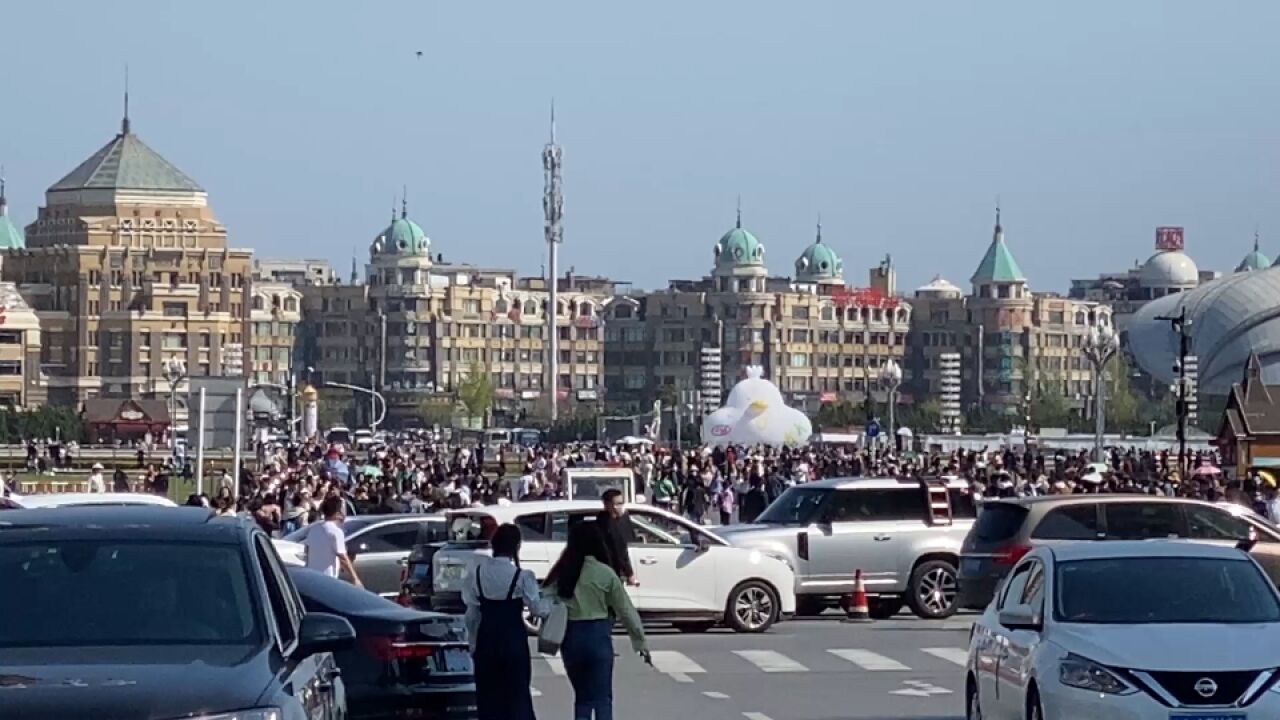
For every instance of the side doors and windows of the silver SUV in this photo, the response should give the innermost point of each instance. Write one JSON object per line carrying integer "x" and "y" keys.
{"x": 866, "y": 530}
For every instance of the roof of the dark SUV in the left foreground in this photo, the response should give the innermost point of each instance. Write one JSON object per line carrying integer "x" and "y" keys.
{"x": 135, "y": 522}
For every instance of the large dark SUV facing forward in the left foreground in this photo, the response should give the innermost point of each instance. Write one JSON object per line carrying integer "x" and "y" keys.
{"x": 154, "y": 614}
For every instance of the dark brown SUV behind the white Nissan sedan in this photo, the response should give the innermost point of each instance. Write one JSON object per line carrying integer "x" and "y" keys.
{"x": 1007, "y": 530}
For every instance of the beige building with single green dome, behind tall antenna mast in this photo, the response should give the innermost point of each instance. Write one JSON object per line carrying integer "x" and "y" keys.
{"x": 418, "y": 327}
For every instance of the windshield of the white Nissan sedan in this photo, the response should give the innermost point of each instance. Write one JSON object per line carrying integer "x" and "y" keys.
{"x": 1164, "y": 590}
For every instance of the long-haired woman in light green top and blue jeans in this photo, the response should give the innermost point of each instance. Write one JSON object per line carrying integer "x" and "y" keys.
{"x": 593, "y": 596}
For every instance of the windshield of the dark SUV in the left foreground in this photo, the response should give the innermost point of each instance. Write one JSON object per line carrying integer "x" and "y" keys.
{"x": 66, "y": 594}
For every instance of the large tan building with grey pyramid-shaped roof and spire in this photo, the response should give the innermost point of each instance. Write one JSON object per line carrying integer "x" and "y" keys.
{"x": 127, "y": 267}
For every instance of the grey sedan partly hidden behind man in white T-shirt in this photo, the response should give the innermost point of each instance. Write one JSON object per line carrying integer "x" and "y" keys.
{"x": 378, "y": 545}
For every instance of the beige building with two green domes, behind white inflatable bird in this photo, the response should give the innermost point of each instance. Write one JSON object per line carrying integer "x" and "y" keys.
{"x": 819, "y": 340}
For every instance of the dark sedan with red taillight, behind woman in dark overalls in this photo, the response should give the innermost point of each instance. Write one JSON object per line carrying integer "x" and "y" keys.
{"x": 408, "y": 663}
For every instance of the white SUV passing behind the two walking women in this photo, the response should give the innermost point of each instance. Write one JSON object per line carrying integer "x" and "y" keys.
{"x": 688, "y": 576}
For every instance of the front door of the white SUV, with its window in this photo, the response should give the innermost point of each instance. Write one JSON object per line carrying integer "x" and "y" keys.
{"x": 674, "y": 573}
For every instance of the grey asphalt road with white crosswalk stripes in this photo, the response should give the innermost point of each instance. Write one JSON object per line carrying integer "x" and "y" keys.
{"x": 811, "y": 669}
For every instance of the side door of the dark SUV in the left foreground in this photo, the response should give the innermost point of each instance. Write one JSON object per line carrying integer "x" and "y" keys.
{"x": 312, "y": 681}
